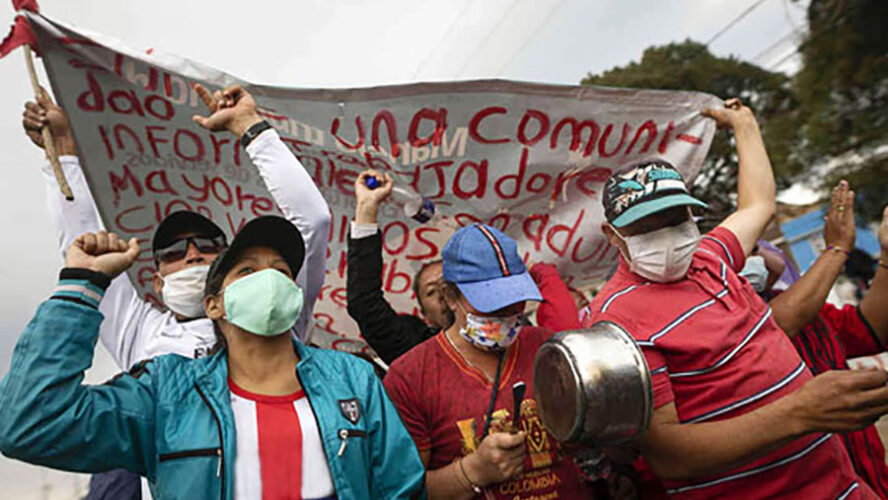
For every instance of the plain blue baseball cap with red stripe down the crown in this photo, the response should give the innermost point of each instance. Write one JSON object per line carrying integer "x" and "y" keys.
{"x": 484, "y": 263}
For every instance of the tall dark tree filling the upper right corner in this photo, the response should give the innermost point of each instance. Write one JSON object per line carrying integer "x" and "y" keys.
{"x": 842, "y": 90}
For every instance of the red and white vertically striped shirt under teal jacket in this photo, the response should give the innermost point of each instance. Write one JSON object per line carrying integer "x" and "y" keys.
{"x": 279, "y": 450}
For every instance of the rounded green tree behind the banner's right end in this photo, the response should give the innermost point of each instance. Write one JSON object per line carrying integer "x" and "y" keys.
{"x": 690, "y": 66}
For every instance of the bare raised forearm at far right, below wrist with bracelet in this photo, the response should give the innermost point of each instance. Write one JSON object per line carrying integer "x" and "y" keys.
{"x": 801, "y": 302}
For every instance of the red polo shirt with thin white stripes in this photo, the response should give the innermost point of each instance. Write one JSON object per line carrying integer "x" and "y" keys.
{"x": 715, "y": 351}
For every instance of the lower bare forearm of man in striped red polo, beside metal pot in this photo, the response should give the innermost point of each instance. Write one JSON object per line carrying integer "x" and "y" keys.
{"x": 682, "y": 451}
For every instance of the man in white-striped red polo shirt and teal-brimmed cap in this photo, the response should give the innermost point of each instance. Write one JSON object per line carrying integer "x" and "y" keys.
{"x": 737, "y": 413}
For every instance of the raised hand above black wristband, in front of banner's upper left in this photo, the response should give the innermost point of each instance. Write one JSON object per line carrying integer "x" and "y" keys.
{"x": 232, "y": 109}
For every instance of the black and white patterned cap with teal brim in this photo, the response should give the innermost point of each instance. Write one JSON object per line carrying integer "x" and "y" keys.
{"x": 643, "y": 189}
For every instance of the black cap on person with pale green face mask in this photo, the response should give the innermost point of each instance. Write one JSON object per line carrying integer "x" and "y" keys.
{"x": 269, "y": 231}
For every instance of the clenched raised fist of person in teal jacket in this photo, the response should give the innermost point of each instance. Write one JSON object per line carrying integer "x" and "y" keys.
{"x": 102, "y": 252}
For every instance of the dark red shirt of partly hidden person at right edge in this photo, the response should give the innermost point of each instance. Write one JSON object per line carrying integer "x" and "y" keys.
{"x": 825, "y": 344}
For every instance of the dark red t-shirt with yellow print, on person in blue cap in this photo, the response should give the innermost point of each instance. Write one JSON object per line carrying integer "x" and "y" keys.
{"x": 443, "y": 402}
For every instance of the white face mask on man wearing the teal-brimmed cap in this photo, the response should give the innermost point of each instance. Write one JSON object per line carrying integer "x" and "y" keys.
{"x": 663, "y": 255}
